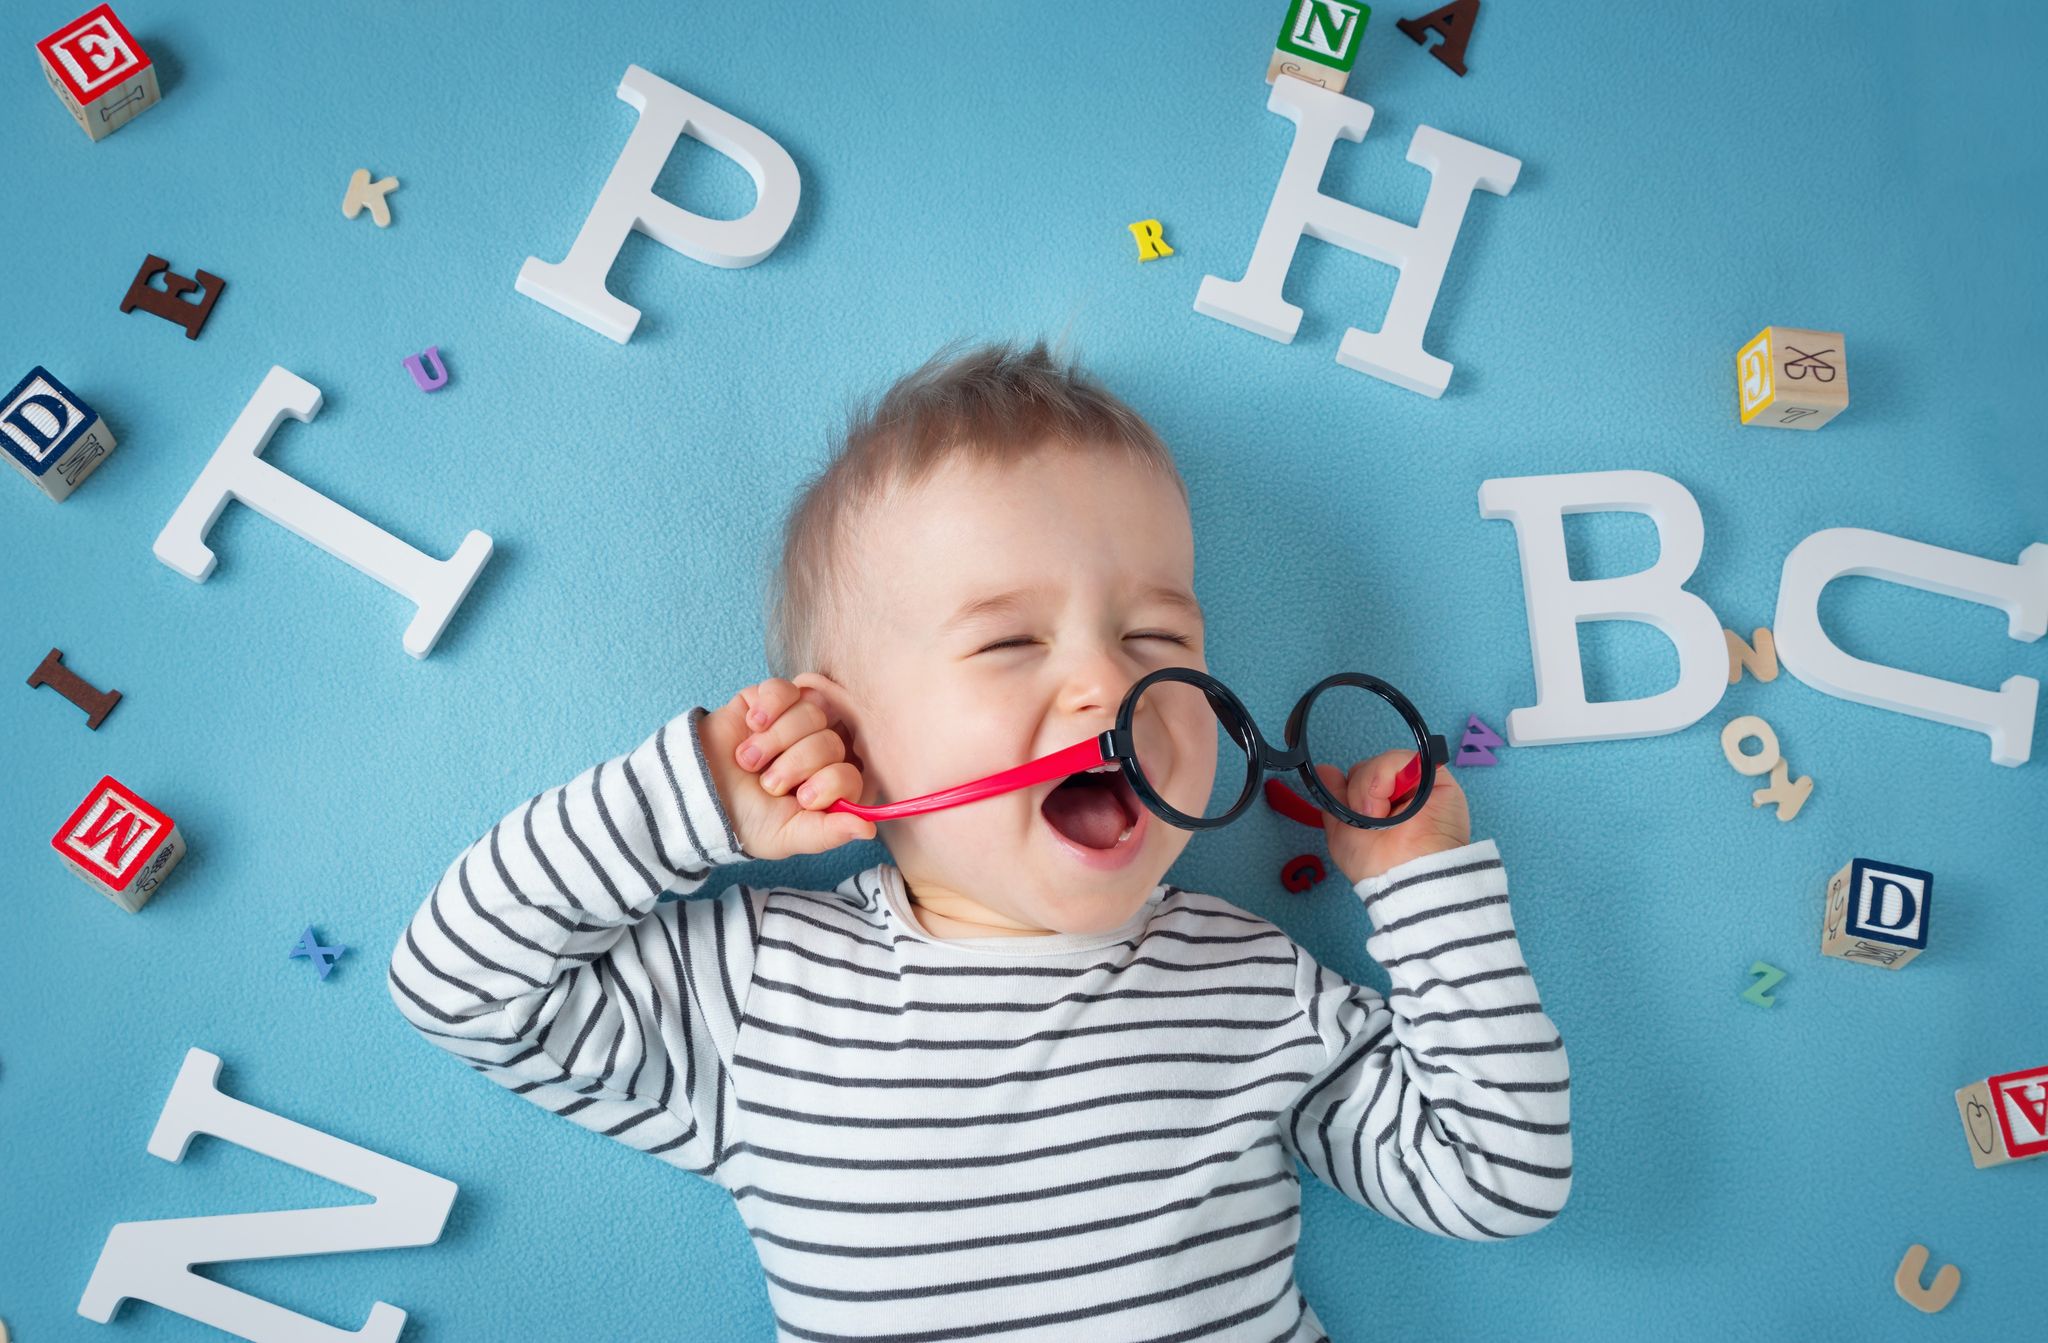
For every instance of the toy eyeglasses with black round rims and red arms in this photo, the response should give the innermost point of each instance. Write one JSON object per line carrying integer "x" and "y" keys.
{"x": 1345, "y": 718}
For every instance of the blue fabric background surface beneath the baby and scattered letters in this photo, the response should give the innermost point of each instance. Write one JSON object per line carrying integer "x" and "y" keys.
{"x": 970, "y": 171}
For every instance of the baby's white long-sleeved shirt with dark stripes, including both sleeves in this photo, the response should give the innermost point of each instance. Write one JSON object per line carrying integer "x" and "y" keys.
{"x": 1019, "y": 1139}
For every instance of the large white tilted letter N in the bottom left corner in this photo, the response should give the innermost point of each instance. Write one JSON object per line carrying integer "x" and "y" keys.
{"x": 153, "y": 1260}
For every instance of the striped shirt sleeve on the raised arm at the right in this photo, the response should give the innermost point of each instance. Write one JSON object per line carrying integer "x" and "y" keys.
{"x": 1447, "y": 1102}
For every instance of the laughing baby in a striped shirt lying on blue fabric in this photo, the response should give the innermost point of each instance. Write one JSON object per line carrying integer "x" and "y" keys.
{"x": 1013, "y": 1084}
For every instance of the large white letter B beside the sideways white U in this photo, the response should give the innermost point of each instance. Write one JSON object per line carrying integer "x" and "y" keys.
{"x": 1558, "y": 603}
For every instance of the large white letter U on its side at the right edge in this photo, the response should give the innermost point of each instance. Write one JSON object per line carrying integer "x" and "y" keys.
{"x": 2006, "y": 716}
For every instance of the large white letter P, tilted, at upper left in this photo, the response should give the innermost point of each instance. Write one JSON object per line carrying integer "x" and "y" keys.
{"x": 574, "y": 286}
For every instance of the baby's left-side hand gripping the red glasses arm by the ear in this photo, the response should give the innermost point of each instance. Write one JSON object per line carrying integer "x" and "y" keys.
{"x": 777, "y": 765}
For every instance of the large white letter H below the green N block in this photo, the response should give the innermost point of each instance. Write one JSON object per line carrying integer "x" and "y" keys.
{"x": 1422, "y": 251}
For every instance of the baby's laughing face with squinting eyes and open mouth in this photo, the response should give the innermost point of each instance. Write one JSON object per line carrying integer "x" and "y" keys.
{"x": 1095, "y": 550}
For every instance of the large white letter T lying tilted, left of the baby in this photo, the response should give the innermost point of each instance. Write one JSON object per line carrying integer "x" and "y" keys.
{"x": 239, "y": 472}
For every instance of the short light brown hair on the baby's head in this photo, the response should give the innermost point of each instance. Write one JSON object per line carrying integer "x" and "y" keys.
{"x": 990, "y": 404}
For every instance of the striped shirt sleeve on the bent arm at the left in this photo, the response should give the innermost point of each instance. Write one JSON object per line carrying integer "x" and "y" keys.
{"x": 548, "y": 961}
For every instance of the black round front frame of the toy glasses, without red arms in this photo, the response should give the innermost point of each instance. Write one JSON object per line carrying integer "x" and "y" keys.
{"x": 1263, "y": 759}
